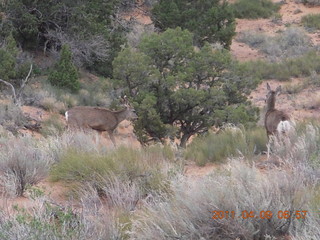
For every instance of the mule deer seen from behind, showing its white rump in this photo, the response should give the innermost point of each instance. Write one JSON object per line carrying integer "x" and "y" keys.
{"x": 277, "y": 123}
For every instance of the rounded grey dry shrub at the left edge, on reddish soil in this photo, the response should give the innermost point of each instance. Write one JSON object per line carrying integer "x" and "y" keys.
{"x": 22, "y": 163}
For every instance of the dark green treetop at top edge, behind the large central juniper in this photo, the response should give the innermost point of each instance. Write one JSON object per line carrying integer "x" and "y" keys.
{"x": 209, "y": 20}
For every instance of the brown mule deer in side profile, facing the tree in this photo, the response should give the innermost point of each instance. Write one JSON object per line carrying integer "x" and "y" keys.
{"x": 99, "y": 119}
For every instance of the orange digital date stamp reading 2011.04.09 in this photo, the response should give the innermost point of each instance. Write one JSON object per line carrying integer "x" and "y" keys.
{"x": 285, "y": 214}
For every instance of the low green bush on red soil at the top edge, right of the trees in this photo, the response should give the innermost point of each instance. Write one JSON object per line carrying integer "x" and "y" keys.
{"x": 255, "y": 8}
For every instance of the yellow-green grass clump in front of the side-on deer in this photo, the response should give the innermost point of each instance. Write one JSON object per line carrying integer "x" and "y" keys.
{"x": 147, "y": 171}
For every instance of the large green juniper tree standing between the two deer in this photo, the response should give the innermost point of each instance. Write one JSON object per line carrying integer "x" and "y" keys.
{"x": 181, "y": 91}
